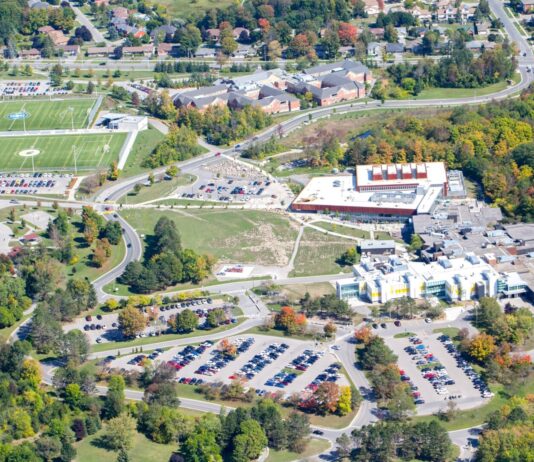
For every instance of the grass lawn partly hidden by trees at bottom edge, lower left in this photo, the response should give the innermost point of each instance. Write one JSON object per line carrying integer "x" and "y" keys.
{"x": 143, "y": 450}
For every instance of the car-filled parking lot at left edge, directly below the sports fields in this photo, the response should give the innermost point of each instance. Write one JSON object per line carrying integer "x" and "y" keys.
{"x": 34, "y": 183}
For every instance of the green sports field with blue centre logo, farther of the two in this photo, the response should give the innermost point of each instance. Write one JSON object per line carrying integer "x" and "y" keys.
{"x": 44, "y": 114}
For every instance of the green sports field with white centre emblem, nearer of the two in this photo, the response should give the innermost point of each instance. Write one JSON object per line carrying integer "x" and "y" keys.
{"x": 57, "y": 152}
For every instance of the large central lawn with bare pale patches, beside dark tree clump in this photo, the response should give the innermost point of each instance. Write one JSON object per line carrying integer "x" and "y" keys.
{"x": 237, "y": 236}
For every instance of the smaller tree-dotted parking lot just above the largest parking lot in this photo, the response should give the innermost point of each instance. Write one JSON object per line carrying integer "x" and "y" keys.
{"x": 104, "y": 328}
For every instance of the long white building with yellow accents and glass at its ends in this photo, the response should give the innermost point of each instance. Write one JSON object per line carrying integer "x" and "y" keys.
{"x": 458, "y": 279}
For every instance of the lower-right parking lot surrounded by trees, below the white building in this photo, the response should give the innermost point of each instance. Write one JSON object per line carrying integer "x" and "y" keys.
{"x": 432, "y": 371}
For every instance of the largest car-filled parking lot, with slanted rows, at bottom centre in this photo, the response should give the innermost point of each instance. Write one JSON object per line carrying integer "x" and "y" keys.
{"x": 261, "y": 362}
